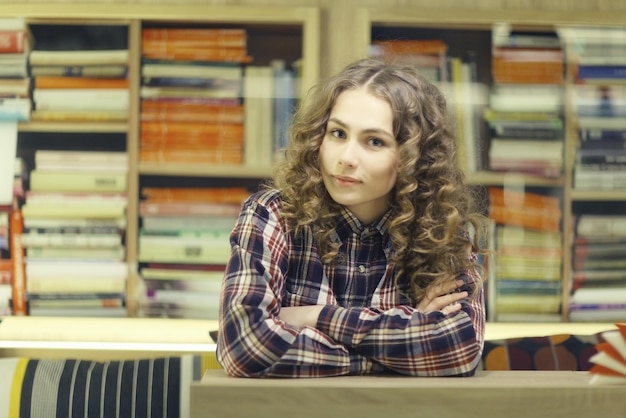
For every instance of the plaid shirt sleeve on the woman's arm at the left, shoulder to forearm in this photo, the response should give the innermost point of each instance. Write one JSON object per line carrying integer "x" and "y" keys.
{"x": 253, "y": 341}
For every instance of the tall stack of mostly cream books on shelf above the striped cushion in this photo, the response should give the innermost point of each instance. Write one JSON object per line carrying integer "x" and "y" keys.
{"x": 73, "y": 233}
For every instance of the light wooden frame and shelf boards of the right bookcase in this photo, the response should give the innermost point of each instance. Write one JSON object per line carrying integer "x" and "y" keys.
{"x": 466, "y": 28}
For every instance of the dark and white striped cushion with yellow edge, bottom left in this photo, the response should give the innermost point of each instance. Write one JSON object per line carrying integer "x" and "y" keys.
{"x": 154, "y": 388}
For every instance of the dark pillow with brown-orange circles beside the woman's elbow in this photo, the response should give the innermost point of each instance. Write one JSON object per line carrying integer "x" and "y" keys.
{"x": 555, "y": 352}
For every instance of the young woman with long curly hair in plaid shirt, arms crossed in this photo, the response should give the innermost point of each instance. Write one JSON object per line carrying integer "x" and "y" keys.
{"x": 361, "y": 256}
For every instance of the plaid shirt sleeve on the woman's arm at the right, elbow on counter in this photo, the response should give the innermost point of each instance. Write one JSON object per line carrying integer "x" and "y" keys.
{"x": 411, "y": 342}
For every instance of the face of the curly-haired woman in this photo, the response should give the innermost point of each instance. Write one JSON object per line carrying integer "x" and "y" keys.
{"x": 359, "y": 154}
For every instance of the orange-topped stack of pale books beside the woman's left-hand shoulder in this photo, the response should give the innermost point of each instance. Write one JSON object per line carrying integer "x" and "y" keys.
{"x": 183, "y": 249}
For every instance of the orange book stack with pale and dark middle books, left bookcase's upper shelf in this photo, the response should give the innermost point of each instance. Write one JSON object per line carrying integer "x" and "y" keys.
{"x": 191, "y": 91}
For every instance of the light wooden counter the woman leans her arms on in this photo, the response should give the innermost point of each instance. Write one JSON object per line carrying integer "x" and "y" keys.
{"x": 508, "y": 394}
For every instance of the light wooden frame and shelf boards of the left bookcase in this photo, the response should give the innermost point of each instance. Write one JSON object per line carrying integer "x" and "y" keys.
{"x": 281, "y": 32}
